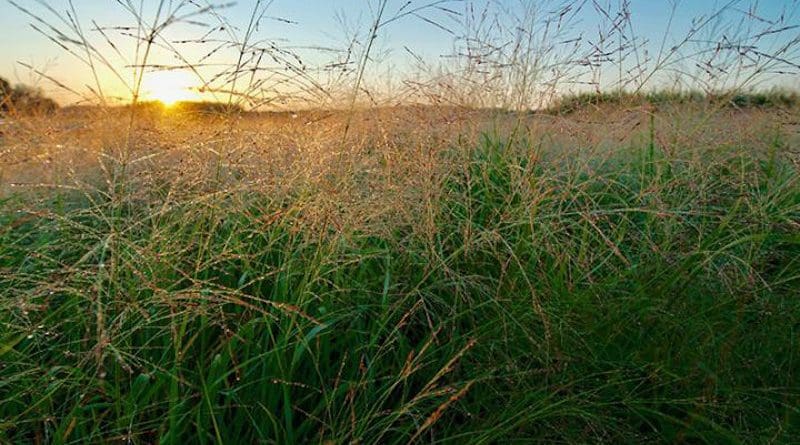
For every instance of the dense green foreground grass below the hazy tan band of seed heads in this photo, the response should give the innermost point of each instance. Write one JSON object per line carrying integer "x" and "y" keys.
{"x": 635, "y": 298}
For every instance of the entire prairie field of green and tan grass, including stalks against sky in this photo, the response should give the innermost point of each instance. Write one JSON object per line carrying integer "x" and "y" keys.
{"x": 615, "y": 266}
